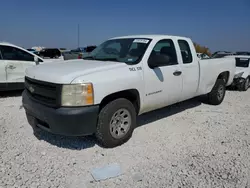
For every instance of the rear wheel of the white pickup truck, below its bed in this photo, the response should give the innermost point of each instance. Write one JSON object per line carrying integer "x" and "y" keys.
{"x": 216, "y": 96}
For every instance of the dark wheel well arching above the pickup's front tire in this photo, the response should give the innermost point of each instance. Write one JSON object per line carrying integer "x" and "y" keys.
{"x": 132, "y": 95}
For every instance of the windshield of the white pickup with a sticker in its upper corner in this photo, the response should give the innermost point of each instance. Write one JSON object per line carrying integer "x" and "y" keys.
{"x": 127, "y": 50}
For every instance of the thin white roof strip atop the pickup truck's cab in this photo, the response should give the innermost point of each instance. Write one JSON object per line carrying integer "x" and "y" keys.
{"x": 156, "y": 36}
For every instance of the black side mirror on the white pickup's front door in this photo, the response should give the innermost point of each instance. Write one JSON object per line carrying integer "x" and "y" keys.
{"x": 158, "y": 60}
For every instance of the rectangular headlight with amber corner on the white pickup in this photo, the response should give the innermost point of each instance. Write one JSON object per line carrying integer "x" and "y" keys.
{"x": 77, "y": 95}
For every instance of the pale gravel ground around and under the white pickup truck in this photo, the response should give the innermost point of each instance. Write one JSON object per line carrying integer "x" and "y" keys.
{"x": 186, "y": 145}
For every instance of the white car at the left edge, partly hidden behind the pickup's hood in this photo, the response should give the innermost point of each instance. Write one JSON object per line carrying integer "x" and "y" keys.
{"x": 13, "y": 62}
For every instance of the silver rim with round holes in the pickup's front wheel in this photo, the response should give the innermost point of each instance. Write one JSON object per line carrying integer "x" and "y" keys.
{"x": 120, "y": 123}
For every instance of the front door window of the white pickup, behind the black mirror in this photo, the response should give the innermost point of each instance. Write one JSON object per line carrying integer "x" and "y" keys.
{"x": 165, "y": 47}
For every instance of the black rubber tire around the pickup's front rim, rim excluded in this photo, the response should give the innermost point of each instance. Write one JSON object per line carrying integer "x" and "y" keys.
{"x": 103, "y": 133}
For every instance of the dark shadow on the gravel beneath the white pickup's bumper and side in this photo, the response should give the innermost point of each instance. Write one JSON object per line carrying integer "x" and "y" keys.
{"x": 81, "y": 143}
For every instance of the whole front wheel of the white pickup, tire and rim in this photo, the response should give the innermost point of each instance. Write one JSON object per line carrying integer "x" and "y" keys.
{"x": 116, "y": 123}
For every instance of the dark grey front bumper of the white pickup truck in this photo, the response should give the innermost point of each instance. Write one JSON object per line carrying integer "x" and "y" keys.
{"x": 75, "y": 121}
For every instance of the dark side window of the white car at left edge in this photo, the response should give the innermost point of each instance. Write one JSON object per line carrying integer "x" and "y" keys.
{"x": 12, "y": 53}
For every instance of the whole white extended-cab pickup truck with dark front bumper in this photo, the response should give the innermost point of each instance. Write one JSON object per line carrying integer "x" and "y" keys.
{"x": 123, "y": 77}
